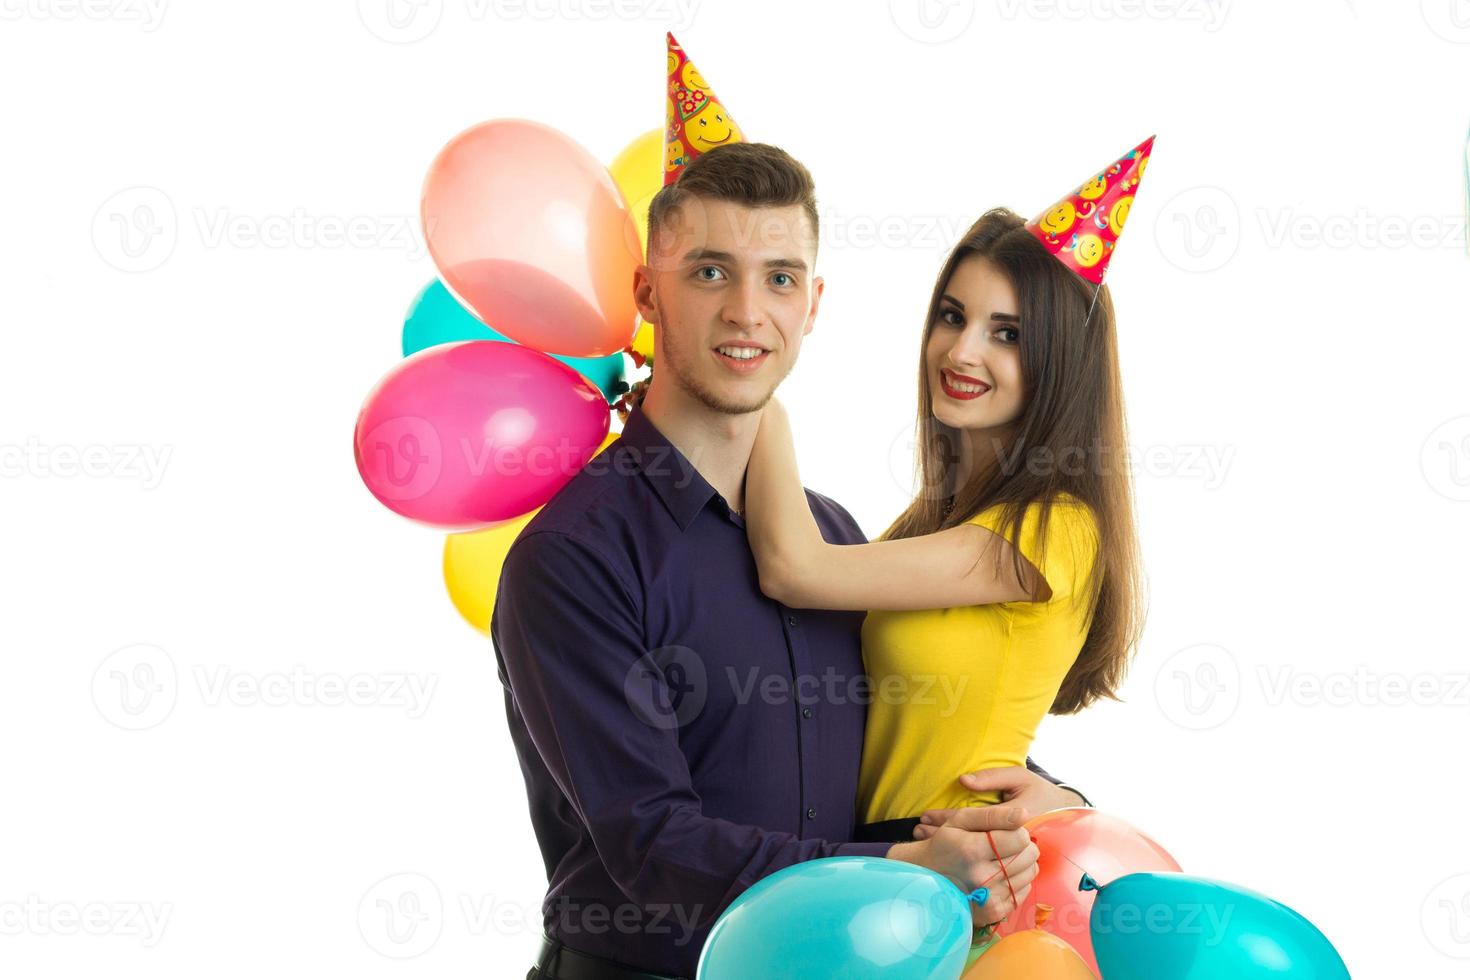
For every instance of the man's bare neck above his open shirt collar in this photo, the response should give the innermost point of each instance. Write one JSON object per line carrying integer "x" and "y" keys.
{"x": 715, "y": 443}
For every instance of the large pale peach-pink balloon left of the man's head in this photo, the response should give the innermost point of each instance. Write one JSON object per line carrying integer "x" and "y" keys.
{"x": 533, "y": 236}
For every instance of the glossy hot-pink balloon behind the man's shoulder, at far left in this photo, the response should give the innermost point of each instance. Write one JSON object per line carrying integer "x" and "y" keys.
{"x": 476, "y": 434}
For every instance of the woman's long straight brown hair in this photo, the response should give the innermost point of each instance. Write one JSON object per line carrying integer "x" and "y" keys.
{"x": 1071, "y": 437}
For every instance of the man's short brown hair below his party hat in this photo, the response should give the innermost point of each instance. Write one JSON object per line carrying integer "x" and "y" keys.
{"x": 750, "y": 174}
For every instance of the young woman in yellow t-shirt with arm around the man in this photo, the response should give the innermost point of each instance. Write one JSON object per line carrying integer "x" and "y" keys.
{"x": 1009, "y": 588}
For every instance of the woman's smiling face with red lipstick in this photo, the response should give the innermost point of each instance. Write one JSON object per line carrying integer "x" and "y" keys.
{"x": 974, "y": 350}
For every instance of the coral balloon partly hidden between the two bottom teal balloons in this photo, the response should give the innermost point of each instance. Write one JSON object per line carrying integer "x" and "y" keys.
{"x": 1072, "y": 843}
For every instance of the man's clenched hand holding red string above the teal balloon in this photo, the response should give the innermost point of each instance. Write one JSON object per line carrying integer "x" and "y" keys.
{"x": 962, "y": 851}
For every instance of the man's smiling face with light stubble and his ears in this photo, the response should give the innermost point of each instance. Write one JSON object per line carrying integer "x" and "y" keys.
{"x": 731, "y": 293}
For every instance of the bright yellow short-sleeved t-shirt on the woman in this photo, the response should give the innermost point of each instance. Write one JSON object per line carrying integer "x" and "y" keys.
{"x": 959, "y": 690}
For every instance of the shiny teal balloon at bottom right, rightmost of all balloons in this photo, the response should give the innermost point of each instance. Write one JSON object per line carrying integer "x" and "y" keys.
{"x": 1168, "y": 926}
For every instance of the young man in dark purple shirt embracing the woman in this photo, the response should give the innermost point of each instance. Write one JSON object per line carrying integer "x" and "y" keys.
{"x": 683, "y": 735}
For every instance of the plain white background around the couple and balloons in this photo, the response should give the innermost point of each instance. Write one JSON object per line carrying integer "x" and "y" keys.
{"x": 1291, "y": 300}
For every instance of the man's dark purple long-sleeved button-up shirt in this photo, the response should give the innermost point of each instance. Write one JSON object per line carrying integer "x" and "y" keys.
{"x": 681, "y": 734}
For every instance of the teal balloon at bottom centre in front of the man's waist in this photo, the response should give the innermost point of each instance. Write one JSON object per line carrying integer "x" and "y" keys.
{"x": 855, "y": 918}
